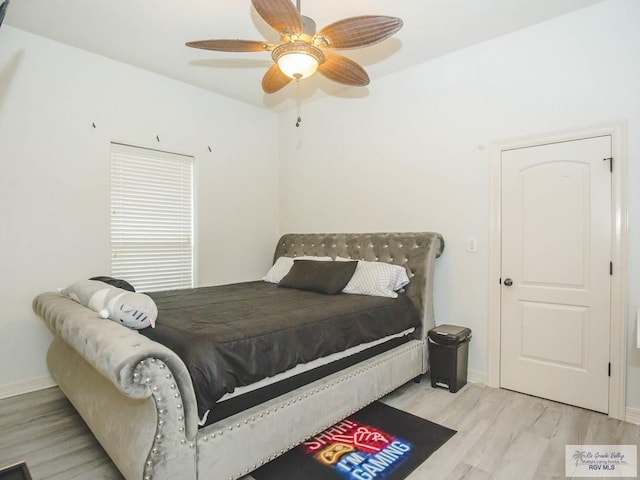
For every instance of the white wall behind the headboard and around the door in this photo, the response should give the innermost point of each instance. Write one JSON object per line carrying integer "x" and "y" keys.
{"x": 412, "y": 154}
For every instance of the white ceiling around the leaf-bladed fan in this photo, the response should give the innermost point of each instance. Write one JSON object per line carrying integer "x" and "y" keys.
{"x": 151, "y": 34}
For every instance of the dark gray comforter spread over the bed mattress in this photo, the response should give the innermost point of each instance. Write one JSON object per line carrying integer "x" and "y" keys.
{"x": 234, "y": 335}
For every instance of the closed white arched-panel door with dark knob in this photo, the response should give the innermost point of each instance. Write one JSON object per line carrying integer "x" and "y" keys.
{"x": 556, "y": 253}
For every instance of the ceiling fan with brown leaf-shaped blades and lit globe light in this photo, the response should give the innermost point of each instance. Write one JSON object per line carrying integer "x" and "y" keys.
{"x": 302, "y": 50}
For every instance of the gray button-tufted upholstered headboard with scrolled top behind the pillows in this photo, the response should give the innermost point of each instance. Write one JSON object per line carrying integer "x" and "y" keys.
{"x": 415, "y": 251}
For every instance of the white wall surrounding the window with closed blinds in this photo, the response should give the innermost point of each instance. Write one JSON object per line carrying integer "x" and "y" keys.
{"x": 54, "y": 179}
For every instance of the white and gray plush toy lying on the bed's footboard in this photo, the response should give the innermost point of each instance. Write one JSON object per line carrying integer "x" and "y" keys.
{"x": 131, "y": 309}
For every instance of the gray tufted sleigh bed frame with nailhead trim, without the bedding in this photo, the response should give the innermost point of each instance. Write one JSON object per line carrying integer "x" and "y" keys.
{"x": 138, "y": 398}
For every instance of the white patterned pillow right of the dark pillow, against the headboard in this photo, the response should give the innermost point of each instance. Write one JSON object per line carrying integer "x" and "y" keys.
{"x": 378, "y": 279}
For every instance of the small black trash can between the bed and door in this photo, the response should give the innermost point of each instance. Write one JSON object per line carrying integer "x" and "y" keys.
{"x": 448, "y": 356}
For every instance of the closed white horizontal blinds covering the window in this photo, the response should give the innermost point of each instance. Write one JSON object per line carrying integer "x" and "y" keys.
{"x": 151, "y": 218}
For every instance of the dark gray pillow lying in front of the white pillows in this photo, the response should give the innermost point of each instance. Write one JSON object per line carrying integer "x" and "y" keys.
{"x": 322, "y": 277}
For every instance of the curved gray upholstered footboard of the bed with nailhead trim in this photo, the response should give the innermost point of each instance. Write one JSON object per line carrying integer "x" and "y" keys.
{"x": 134, "y": 394}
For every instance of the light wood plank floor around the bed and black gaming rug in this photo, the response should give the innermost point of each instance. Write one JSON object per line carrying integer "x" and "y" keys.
{"x": 501, "y": 435}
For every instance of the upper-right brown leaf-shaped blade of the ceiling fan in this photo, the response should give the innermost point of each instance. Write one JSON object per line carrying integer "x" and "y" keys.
{"x": 357, "y": 32}
